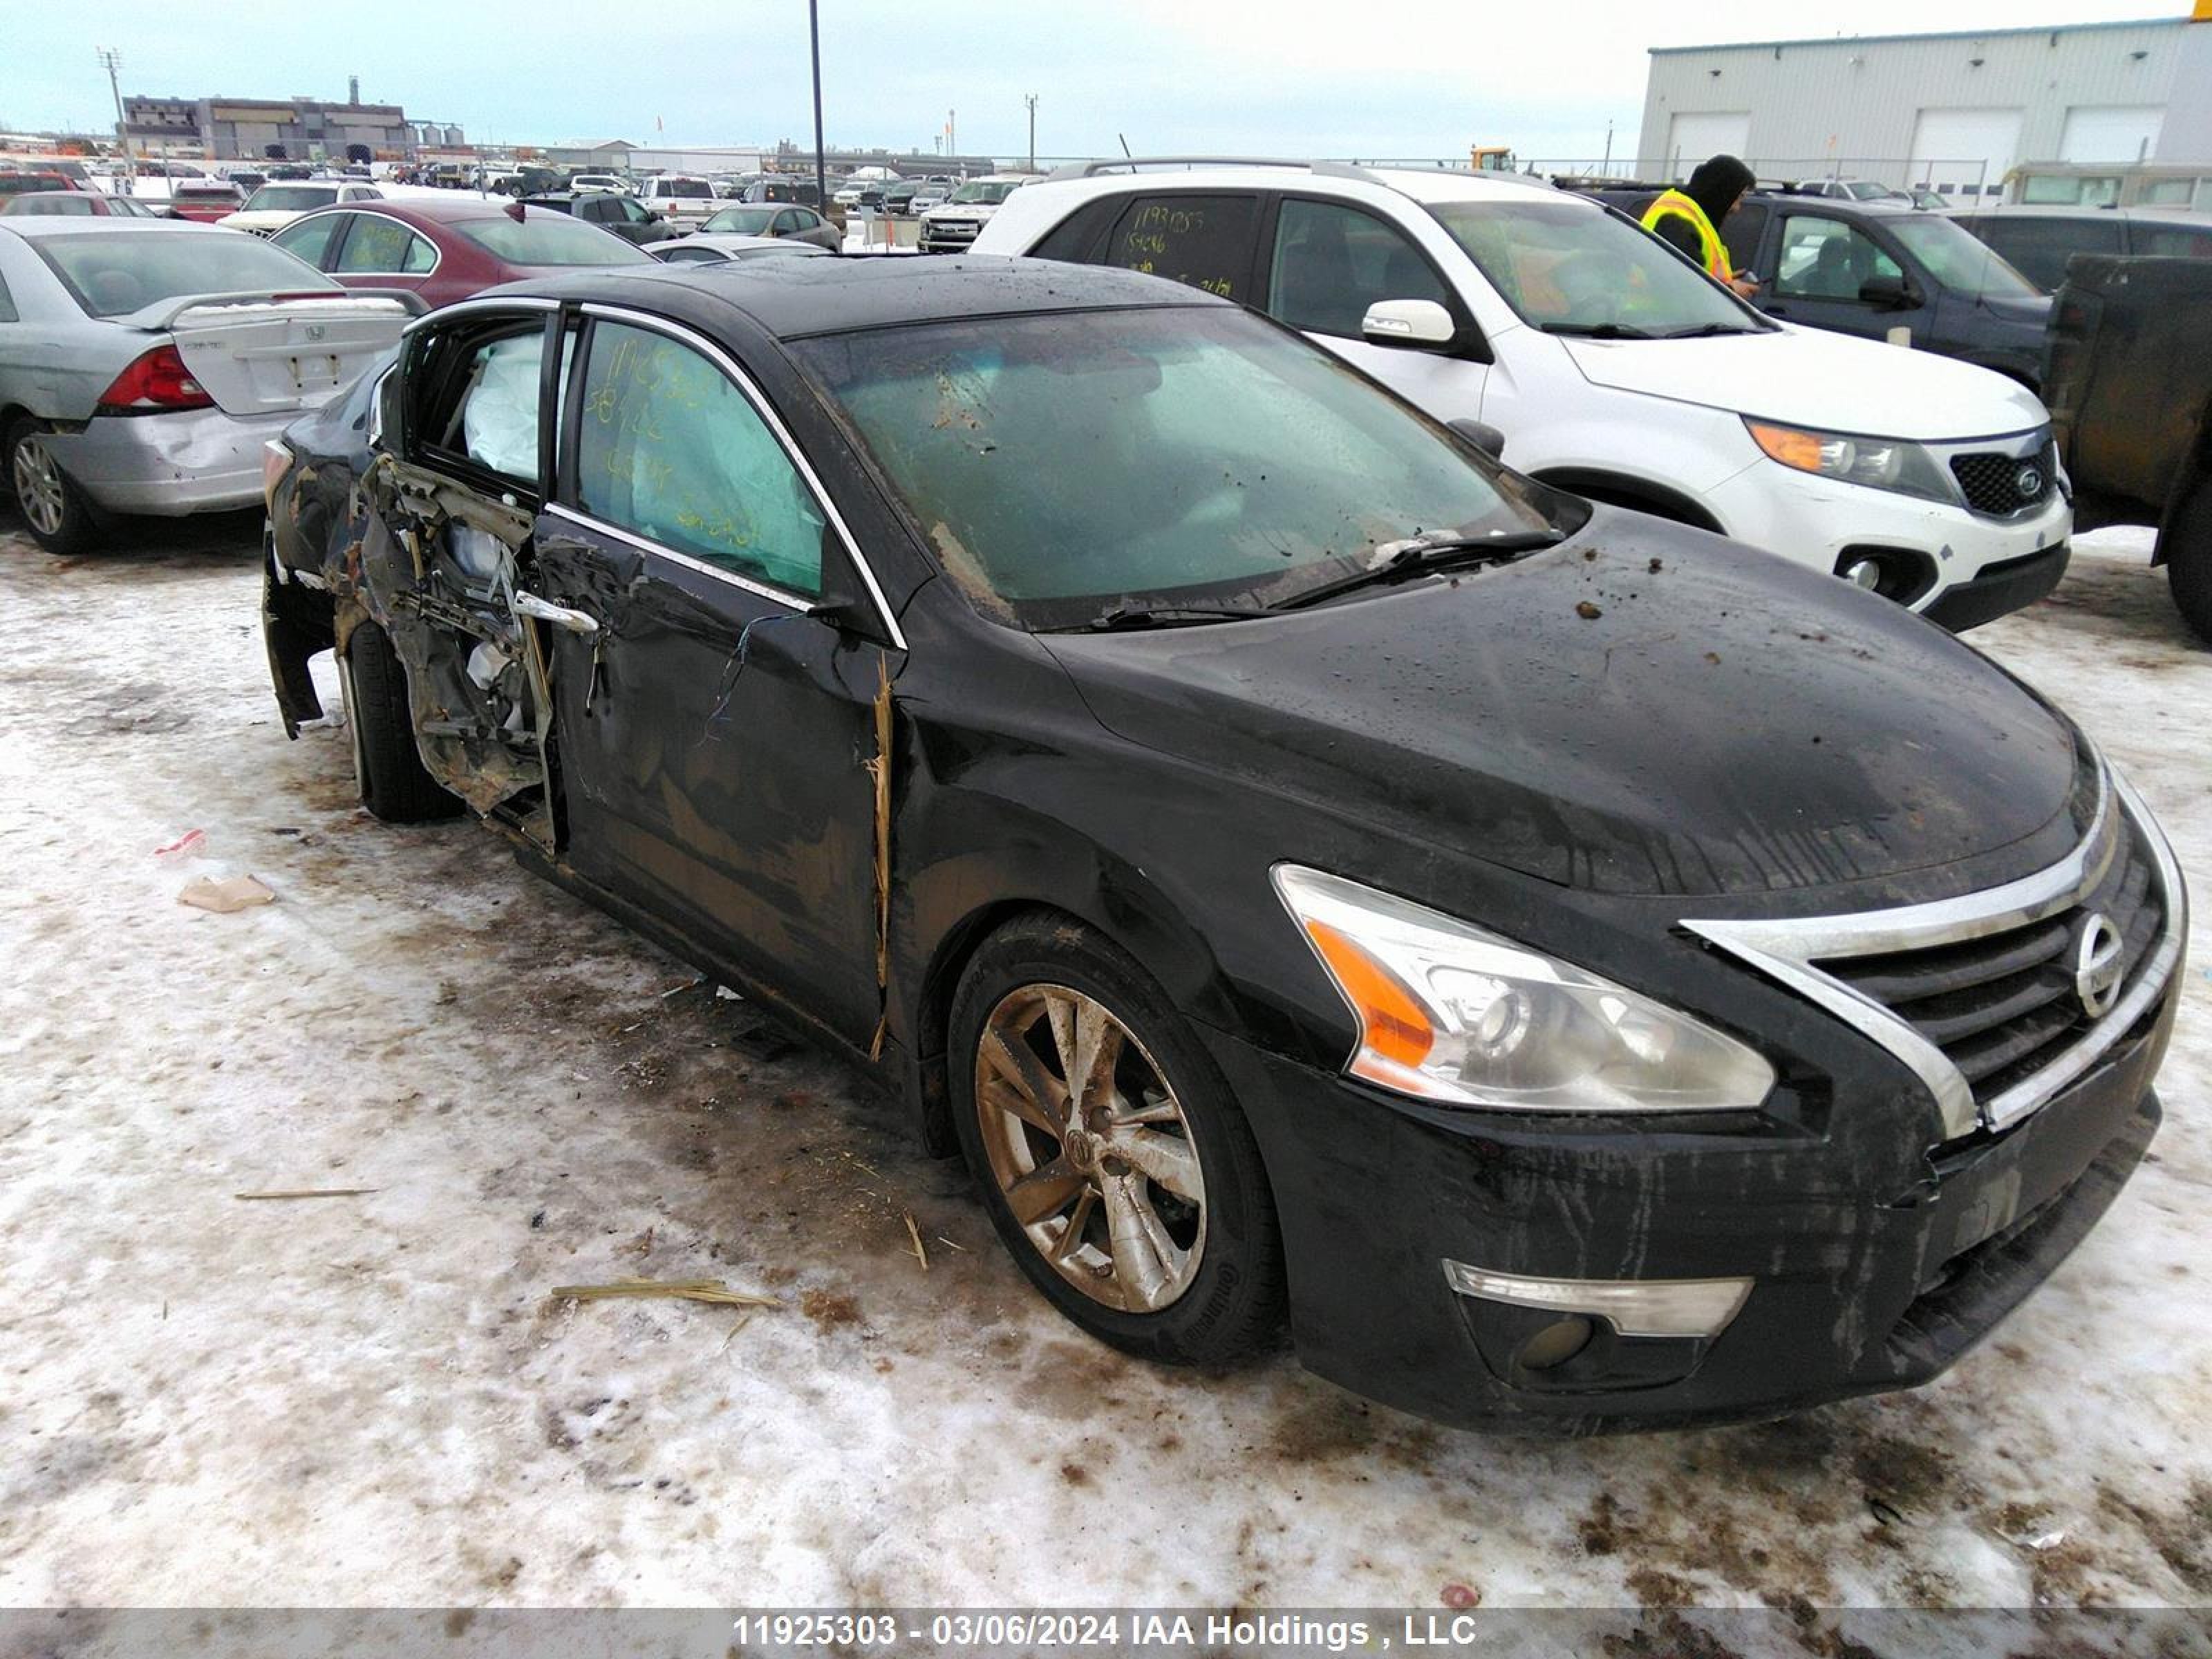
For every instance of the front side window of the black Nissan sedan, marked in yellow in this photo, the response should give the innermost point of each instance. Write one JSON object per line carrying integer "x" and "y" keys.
{"x": 671, "y": 450}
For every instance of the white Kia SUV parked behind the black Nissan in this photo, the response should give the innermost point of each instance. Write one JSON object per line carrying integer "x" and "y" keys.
{"x": 1611, "y": 366}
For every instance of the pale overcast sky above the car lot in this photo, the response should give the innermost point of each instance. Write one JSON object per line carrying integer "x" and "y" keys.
{"x": 1375, "y": 79}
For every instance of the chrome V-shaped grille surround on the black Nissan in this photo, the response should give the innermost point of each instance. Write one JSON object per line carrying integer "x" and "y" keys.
{"x": 1786, "y": 952}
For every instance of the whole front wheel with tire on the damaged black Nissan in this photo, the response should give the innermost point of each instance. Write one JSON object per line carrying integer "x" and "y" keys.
{"x": 1114, "y": 1162}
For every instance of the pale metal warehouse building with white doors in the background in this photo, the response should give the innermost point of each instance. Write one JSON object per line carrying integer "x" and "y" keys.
{"x": 1950, "y": 109}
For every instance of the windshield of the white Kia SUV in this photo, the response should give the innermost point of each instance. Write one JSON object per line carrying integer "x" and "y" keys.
{"x": 1574, "y": 269}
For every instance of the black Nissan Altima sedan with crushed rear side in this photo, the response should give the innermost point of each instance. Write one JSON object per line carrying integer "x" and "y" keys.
{"x": 1580, "y": 972}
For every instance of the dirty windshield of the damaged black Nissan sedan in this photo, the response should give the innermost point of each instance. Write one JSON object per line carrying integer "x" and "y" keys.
{"x": 1072, "y": 463}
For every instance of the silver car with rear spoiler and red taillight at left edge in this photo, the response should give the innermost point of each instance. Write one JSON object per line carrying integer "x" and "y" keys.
{"x": 145, "y": 364}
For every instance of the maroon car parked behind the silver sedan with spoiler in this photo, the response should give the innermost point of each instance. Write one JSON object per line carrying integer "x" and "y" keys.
{"x": 450, "y": 249}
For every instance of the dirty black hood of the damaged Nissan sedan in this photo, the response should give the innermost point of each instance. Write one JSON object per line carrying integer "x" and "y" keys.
{"x": 1640, "y": 711}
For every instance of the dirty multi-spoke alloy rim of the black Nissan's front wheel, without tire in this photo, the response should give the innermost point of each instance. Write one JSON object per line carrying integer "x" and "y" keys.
{"x": 1092, "y": 1149}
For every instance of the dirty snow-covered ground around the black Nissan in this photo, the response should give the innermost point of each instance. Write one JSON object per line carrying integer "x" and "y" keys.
{"x": 375, "y": 1401}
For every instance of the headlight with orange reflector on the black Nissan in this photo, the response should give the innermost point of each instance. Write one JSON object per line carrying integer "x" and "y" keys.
{"x": 1461, "y": 1016}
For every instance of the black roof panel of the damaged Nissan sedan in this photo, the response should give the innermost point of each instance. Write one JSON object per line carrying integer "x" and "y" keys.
{"x": 842, "y": 293}
